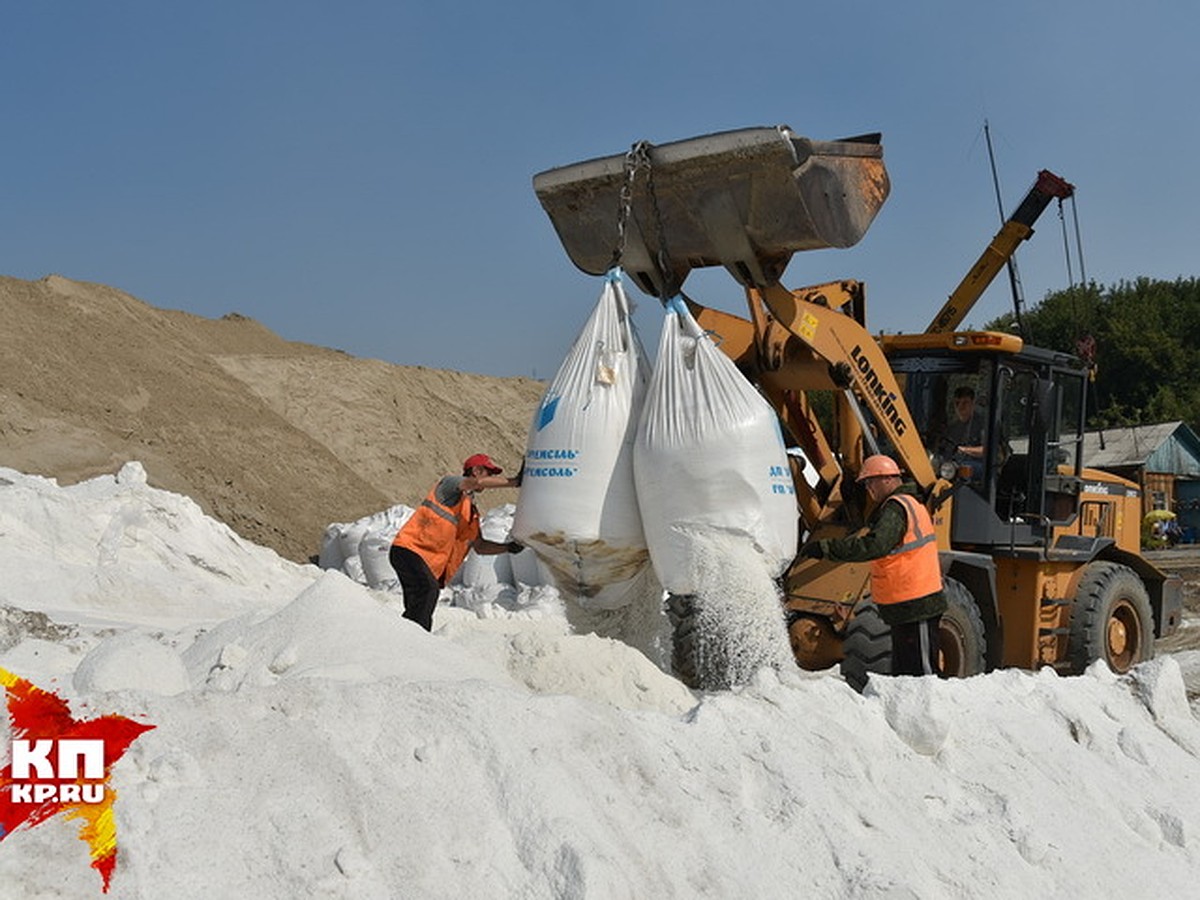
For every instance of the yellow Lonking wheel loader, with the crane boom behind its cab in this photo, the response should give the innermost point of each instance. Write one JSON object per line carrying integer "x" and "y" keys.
{"x": 1041, "y": 557}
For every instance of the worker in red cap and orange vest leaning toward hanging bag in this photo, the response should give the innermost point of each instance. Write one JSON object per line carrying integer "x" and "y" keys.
{"x": 435, "y": 541}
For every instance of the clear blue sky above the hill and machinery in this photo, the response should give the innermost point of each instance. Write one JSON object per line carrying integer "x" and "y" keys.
{"x": 358, "y": 175}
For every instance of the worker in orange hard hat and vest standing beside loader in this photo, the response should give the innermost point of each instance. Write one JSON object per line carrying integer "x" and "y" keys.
{"x": 907, "y": 577}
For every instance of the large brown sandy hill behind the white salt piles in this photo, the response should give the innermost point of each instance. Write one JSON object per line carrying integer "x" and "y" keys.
{"x": 273, "y": 437}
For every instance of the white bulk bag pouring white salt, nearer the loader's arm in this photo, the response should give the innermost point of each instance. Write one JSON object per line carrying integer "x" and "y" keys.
{"x": 710, "y": 459}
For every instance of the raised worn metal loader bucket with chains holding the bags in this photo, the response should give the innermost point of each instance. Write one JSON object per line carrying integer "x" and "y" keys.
{"x": 746, "y": 200}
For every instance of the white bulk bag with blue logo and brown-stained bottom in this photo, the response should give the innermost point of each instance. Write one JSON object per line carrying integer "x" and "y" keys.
{"x": 578, "y": 507}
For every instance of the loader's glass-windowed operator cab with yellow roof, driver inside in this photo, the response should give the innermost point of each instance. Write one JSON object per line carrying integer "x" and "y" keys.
{"x": 1029, "y": 407}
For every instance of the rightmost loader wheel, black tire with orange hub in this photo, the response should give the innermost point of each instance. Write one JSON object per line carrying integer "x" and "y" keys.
{"x": 1112, "y": 620}
